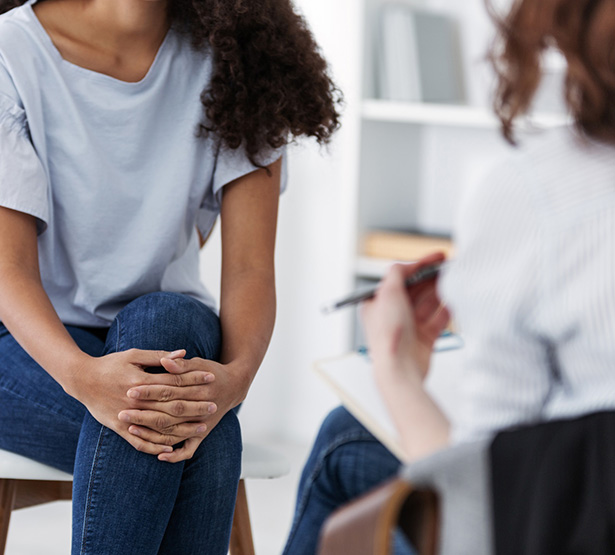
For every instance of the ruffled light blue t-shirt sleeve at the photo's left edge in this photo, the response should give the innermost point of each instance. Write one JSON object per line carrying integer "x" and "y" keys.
{"x": 23, "y": 182}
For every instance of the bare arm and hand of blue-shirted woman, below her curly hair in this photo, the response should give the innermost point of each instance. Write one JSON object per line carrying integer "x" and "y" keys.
{"x": 247, "y": 314}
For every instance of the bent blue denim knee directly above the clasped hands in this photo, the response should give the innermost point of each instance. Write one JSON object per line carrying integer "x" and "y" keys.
{"x": 168, "y": 321}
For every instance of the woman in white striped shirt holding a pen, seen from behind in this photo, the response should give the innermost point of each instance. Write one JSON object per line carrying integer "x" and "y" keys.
{"x": 532, "y": 285}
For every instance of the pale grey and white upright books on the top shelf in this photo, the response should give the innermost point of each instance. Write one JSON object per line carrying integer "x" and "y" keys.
{"x": 419, "y": 55}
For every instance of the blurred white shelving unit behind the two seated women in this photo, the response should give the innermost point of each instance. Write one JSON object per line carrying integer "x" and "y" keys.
{"x": 417, "y": 159}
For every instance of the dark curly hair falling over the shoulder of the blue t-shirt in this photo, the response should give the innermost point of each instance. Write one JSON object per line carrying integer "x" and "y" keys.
{"x": 270, "y": 83}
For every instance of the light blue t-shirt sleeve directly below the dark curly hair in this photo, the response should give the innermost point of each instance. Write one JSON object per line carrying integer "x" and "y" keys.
{"x": 231, "y": 165}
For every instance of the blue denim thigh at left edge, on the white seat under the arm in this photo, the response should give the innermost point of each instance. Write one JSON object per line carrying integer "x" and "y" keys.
{"x": 37, "y": 418}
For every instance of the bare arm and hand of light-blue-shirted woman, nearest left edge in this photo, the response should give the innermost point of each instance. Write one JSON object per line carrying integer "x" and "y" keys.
{"x": 26, "y": 311}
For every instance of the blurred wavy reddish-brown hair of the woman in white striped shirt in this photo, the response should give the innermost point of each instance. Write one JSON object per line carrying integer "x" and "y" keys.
{"x": 584, "y": 32}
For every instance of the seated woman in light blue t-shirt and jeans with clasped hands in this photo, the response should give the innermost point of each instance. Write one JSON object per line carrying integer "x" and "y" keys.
{"x": 126, "y": 128}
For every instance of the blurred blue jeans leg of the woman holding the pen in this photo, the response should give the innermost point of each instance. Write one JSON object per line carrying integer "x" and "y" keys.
{"x": 346, "y": 461}
